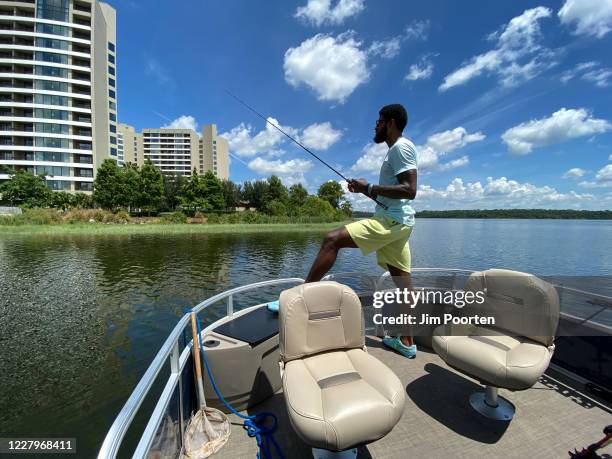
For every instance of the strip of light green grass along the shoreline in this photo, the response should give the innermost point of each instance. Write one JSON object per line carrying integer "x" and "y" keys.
{"x": 156, "y": 228}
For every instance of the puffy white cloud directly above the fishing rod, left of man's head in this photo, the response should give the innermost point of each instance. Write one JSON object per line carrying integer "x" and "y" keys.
{"x": 332, "y": 66}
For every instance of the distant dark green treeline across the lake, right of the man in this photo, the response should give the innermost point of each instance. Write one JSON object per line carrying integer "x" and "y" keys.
{"x": 565, "y": 214}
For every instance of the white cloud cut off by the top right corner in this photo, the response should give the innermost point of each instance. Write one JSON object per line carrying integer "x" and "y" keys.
{"x": 591, "y": 17}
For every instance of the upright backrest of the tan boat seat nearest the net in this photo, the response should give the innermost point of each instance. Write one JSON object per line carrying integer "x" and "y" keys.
{"x": 319, "y": 317}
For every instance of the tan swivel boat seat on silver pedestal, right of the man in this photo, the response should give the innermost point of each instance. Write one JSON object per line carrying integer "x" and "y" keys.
{"x": 513, "y": 357}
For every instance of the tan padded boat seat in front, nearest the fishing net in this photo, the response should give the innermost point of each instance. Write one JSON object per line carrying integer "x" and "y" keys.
{"x": 337, "y": 395}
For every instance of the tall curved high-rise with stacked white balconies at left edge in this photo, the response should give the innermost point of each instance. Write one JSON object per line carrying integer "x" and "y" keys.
{"x": 58, "y": 89}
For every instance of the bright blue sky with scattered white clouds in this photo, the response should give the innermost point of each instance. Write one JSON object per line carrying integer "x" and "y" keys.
{"x": 510, "y": 103}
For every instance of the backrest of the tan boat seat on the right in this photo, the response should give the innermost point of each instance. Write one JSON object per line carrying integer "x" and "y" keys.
{"x": 523, "y": 304}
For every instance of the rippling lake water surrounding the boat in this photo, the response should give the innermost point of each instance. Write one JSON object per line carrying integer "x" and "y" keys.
{"x": 81, "y": 317}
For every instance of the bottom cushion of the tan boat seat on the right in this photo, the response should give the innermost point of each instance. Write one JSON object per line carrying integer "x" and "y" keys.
{"x": 491, "y": 356}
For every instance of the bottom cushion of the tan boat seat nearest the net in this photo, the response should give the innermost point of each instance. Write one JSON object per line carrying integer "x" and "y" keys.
{"x": 339, "y": 399}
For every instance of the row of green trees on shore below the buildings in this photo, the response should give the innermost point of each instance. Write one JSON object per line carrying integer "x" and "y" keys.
{"x": 145, "y": 189}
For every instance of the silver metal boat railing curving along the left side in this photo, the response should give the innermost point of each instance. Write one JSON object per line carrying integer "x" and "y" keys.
{"x": 169, "y": 352}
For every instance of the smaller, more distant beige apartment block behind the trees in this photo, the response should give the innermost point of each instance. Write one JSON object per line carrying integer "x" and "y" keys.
{"x": 175, "y": 151}
